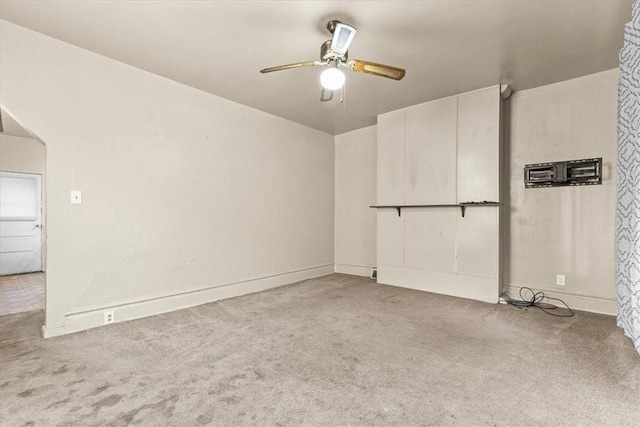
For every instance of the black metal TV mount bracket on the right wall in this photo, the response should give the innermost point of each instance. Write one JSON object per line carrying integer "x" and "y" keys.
{"x": 559, "y": 174}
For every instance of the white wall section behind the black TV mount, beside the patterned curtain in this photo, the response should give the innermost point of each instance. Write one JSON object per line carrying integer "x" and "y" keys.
{"x": 563, "y": 230}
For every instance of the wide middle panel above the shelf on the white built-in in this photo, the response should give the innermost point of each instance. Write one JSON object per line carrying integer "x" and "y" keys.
{"x": 430, "y": 152}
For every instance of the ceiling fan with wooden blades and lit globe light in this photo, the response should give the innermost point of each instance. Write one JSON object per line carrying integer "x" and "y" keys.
{"x": 334, "y": 55}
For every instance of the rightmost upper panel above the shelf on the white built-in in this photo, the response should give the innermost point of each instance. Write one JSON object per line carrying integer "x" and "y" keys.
{"x": 479, "y": 146}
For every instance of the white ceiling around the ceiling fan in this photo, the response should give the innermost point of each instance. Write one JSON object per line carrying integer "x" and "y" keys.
{"x": 447, "y": 47}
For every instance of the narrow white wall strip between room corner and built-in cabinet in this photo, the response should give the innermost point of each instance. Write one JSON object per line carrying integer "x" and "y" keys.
{"x": 355, "y": 238}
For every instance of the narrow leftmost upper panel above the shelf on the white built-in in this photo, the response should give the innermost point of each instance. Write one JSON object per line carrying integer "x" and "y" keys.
{"x": 391, "y": 158}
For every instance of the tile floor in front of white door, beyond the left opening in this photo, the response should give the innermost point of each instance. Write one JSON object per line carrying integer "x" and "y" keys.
{"x": 21, "y": 292}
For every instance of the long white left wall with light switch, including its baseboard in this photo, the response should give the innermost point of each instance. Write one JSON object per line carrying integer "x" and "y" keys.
{"x": 187, "y": 197}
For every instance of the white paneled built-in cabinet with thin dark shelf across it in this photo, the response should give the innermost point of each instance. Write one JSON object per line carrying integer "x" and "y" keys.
{"x": 444, "y": 152}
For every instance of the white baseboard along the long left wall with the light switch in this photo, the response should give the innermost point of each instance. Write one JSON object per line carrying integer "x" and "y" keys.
{"x": 94, "y": 317}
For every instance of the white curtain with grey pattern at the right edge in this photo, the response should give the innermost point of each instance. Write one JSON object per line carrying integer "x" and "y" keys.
{"x": 628, "y": 213}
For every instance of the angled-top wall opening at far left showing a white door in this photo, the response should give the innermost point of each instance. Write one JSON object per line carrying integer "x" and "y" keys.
{"x": 23, "y": 231}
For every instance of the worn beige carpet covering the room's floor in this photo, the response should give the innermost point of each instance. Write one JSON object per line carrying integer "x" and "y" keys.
{"x": 338, "y": 350}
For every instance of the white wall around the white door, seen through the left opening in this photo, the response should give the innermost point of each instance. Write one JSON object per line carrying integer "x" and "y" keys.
{"x": 26, "y": 155}
